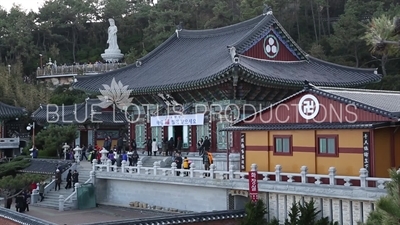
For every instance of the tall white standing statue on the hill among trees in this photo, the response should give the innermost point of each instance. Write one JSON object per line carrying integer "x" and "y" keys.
{"x": 112, "y": 54}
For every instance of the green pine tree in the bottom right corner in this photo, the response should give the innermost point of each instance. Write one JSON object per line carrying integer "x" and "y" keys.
{"x": 388, "y": 207}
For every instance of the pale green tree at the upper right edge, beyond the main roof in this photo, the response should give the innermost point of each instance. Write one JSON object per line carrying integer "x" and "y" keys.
{"x": 383, "y": 35}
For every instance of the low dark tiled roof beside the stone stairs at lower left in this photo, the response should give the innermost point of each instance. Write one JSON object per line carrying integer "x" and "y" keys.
{"x": 46, "y": 166}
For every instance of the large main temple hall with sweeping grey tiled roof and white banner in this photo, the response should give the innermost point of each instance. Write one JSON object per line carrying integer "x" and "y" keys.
{"x": 198, "y": 81}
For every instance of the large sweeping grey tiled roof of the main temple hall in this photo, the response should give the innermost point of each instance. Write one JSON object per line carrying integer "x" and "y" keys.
{"x": 194, "y": 59}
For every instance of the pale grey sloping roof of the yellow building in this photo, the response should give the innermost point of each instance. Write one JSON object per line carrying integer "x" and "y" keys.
{"x": 388, "y": 102}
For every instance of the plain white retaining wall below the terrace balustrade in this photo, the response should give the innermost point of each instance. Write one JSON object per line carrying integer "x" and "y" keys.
{"x": 188, "y": 198}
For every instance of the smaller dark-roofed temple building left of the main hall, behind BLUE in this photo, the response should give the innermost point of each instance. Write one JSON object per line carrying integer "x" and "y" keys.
{"x": 94, "y": 123}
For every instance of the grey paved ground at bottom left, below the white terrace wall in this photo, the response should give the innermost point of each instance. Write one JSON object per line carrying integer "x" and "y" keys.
{"x": 99, "y": 214}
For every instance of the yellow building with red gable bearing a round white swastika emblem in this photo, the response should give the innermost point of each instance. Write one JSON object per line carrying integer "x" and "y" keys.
{"x": 323, "y": 127}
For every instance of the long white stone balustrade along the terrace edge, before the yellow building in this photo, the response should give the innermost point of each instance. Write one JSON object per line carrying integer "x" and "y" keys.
{"x": 303, "y": 177}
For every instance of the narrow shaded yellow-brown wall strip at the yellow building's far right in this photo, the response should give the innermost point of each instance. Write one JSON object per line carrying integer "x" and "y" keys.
{"x": 382, "y": 152}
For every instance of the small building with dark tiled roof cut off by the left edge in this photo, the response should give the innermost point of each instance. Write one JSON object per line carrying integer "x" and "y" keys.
{"x": 10, "y": 129}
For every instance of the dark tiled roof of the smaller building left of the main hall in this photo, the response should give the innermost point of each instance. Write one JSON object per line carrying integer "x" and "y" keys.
{"x": 79, "y": 113}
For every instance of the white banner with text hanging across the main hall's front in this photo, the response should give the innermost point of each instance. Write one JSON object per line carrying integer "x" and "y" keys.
{"x": 177, "y": 120}
